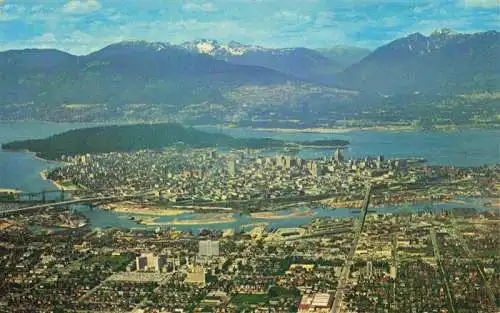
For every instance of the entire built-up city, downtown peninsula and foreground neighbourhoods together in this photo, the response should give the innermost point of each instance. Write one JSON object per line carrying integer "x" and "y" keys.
{"x": 405, "y": 262}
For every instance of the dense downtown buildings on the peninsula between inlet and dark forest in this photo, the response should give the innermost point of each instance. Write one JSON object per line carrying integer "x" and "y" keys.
{"x": 177, "y": 174}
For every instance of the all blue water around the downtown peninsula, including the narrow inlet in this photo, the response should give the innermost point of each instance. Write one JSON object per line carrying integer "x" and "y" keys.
{"x": 20, "y": 170}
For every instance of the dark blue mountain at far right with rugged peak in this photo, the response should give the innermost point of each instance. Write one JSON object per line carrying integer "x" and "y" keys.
{"x": 443, "y": 62}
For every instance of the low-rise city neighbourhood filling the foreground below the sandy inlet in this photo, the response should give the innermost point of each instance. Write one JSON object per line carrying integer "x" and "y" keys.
{"x": 444, "y": 262}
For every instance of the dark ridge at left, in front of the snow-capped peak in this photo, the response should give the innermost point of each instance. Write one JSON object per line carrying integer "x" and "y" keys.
{"x": 133, "y": 72}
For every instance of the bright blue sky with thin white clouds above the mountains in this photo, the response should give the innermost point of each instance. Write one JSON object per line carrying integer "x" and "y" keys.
{"x": 82, "y": 26}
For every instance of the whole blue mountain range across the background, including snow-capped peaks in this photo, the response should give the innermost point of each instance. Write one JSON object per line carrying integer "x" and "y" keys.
{"x": 208, "y": 81}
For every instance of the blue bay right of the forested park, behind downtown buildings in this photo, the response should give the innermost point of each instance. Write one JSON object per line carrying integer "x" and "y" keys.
{"x": 472, "y": 147}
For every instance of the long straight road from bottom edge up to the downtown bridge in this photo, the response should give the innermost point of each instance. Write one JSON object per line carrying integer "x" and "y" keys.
{"x": 346, "y": 270}
